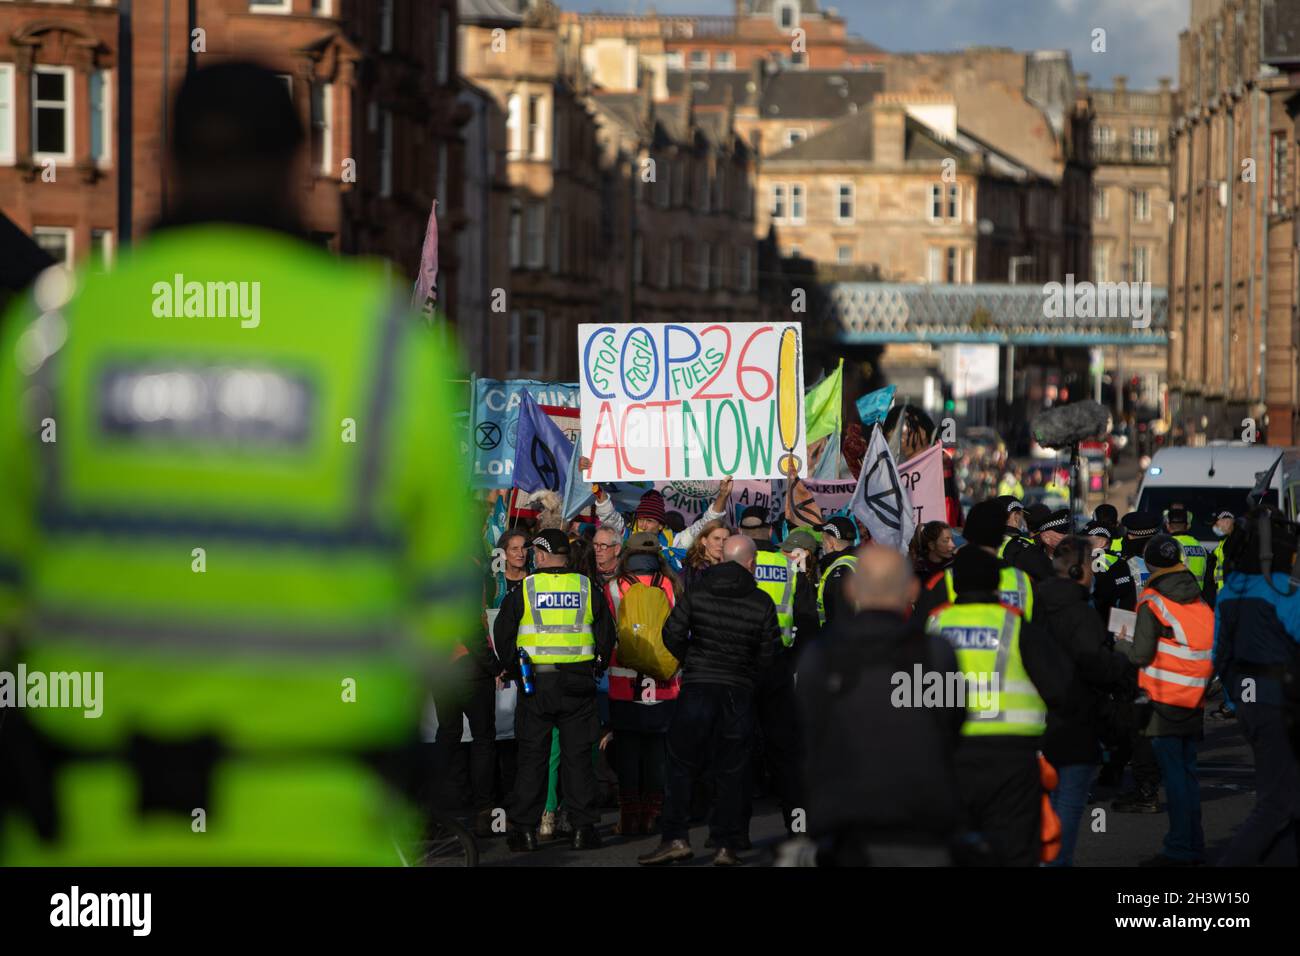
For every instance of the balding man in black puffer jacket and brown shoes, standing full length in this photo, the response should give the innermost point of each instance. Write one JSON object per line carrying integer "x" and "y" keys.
{"x": 725, "y": 633}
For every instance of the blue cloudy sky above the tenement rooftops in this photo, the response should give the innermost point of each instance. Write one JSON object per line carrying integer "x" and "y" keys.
{"x": 1142, "y": 36}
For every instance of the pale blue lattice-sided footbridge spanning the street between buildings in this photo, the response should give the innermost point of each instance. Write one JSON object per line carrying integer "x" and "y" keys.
{"x": 1065, "y": 315}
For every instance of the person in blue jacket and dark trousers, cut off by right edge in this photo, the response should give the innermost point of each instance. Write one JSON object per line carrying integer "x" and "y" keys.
{"x": 1256, "y": 651}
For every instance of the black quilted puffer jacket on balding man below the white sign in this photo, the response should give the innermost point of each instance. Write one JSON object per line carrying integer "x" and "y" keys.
{"x": 723, "y": 630}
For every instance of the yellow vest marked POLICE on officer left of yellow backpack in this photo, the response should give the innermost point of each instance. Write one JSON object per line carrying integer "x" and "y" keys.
{"x": 557, "y": 624}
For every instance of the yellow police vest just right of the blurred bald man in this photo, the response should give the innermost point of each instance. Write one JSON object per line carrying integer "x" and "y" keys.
{"x": 1000, "y": 698}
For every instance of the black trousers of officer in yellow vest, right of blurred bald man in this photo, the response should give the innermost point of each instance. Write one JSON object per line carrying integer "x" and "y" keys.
{"x": 1003, "y": 795}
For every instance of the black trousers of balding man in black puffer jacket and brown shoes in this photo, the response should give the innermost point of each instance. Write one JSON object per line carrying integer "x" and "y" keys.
{"x": 712, "y": 728}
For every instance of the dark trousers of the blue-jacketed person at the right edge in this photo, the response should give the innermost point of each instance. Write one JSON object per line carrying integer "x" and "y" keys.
{"x": 1271, "y": 833}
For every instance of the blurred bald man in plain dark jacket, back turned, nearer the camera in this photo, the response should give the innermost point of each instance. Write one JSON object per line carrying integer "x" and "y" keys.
{"x": 879, "y": 773}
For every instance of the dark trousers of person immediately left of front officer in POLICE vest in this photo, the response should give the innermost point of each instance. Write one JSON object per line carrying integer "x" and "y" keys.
{"x": 476, "y": 700}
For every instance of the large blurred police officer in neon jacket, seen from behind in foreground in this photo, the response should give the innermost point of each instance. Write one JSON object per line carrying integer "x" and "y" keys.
{"x": 261, "y": 589}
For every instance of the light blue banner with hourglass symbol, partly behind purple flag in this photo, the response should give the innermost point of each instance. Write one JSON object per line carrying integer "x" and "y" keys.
{"x": 497, "y": 421}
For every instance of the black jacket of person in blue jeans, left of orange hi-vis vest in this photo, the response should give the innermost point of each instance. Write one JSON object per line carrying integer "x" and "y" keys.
{"x": 1078, "y": 723}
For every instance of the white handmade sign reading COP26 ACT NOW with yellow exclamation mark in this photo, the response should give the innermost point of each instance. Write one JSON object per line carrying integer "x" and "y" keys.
{"x": 675, "y": 403}
